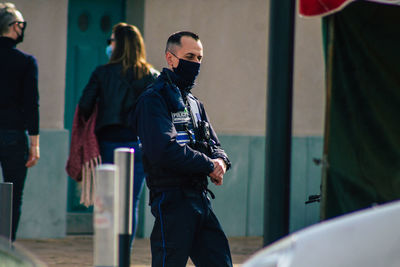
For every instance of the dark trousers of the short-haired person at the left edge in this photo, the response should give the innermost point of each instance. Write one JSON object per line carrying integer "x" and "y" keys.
{"x": 14, "y": 154}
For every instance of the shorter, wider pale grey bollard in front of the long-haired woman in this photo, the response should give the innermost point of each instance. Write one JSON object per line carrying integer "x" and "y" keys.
{"x": 106, "y": 216}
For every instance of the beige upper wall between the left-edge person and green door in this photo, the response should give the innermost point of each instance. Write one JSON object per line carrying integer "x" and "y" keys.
{"x": 46, "y": 39}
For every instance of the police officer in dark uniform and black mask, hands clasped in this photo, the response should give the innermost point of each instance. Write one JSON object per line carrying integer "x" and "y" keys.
{"x": 180, "y": 149}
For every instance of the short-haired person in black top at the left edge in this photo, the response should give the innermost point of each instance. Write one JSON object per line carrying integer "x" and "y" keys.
{"x": 19, "y": 107}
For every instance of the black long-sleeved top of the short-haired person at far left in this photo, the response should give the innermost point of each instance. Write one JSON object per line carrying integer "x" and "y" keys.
{"x": 19, "y": 96}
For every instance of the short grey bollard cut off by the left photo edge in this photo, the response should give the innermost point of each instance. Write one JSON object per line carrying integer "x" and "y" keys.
{"x": 6, "y": 210}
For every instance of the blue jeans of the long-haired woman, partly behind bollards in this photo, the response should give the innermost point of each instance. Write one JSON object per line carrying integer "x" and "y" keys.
{"x": 107, "y": 156}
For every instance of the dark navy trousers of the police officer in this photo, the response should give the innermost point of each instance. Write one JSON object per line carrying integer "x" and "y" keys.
{"x": 185, "y": 226}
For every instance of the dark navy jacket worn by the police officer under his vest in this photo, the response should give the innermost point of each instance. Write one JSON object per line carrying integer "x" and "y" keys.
{"x": 166, "y": 162}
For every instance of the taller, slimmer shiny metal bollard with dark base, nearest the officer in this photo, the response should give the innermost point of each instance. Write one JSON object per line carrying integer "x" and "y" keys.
{"x": 124, "y": 159}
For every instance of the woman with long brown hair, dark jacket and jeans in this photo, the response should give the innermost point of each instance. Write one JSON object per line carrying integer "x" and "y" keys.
{"x": 114, "y": 88}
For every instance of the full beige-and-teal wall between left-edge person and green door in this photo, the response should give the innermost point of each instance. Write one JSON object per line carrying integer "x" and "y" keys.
{"x": 44, "y": 202}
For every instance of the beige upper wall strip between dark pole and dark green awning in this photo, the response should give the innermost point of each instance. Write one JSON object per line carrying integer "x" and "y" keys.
{"x": 309, "y": 88}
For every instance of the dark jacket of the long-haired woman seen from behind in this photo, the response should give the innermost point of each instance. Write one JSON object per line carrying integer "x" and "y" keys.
{"x": 115, "y": 94}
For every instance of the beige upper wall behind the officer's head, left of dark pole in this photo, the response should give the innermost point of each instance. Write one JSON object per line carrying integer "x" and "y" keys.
{"x": 233, "y": 74}
